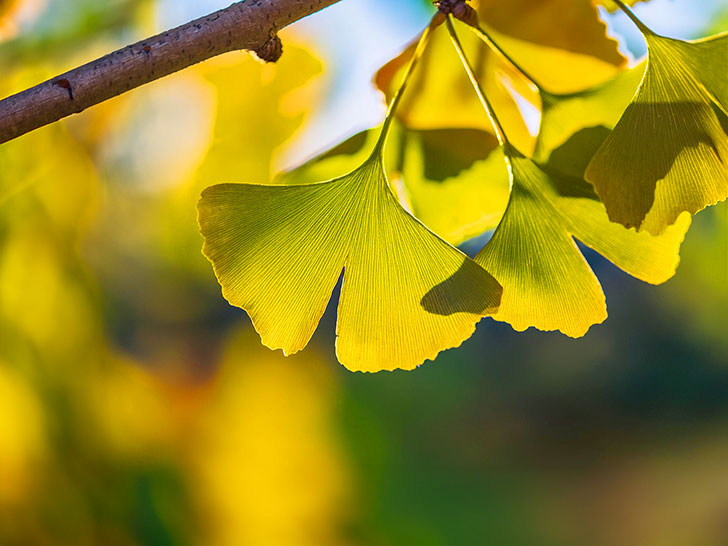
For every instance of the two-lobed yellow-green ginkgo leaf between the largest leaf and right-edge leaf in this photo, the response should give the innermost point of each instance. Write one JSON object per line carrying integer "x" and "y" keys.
{"x": 547, "y": 282}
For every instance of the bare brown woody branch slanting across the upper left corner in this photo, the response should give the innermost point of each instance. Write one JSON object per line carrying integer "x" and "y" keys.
{"x": 250, "y": 24}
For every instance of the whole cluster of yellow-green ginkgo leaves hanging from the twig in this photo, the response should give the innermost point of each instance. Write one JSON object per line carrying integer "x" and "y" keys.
{"x": 619, "y": 165}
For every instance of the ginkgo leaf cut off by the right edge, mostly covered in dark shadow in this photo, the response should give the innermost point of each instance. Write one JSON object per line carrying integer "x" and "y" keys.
{"x": 669, "y": 151}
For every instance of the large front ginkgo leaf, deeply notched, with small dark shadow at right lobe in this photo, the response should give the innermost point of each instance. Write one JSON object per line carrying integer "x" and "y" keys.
{"x": 278, "y": 252}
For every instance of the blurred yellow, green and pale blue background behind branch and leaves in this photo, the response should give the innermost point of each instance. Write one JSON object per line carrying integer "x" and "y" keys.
{"x": 138, "y": 408}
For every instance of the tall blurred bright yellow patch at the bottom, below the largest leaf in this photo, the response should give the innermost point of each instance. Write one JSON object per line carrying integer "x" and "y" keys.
{"x": 269, "y": 468}
